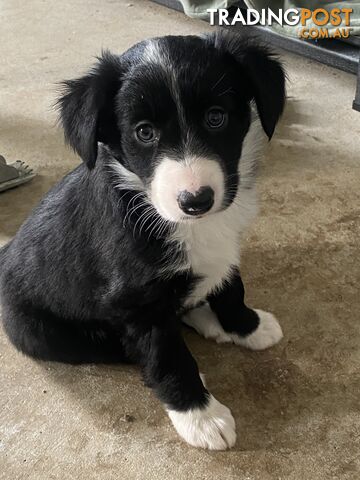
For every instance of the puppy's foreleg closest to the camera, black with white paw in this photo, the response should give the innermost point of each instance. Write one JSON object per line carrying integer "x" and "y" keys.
{"x": 172, "y": 372}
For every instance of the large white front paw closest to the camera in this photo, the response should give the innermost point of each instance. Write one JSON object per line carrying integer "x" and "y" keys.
{"x": 212, "y": 427}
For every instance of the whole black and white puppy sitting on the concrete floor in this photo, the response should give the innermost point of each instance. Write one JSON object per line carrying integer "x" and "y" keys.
{"x": 146, "y": 232}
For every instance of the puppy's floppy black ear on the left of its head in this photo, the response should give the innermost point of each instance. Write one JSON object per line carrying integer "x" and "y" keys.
{"x": 87, "y": 107}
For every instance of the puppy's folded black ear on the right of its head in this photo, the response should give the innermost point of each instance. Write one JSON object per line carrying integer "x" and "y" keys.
{"x": 265, "y": 74}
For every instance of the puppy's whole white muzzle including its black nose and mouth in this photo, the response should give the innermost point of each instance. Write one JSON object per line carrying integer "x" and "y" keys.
{"x": 188, "y": 190}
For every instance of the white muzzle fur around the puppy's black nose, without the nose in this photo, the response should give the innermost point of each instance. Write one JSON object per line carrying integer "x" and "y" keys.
{"x": 172, "y": 177}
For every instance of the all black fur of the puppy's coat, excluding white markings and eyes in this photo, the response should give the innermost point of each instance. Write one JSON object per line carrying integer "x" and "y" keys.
{"x": 77, "y": 285}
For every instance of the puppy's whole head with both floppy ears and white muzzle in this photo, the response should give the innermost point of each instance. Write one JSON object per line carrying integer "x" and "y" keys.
{"x": 174, "y": 112}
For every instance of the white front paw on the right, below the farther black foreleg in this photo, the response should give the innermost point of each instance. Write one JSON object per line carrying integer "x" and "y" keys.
{"x": 267, "y": 334}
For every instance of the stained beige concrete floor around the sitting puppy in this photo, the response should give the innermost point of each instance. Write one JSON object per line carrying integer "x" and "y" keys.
{"x": 296, "y": 406}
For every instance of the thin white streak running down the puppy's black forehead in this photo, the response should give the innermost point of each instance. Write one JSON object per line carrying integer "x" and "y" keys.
{"x": 156, "y": 53}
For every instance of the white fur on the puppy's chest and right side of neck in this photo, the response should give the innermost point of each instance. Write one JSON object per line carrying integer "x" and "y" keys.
{"x": 212, "y": 244}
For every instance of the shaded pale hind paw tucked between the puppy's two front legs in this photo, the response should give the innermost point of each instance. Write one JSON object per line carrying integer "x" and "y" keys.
{"x": 205, "y": 322}
